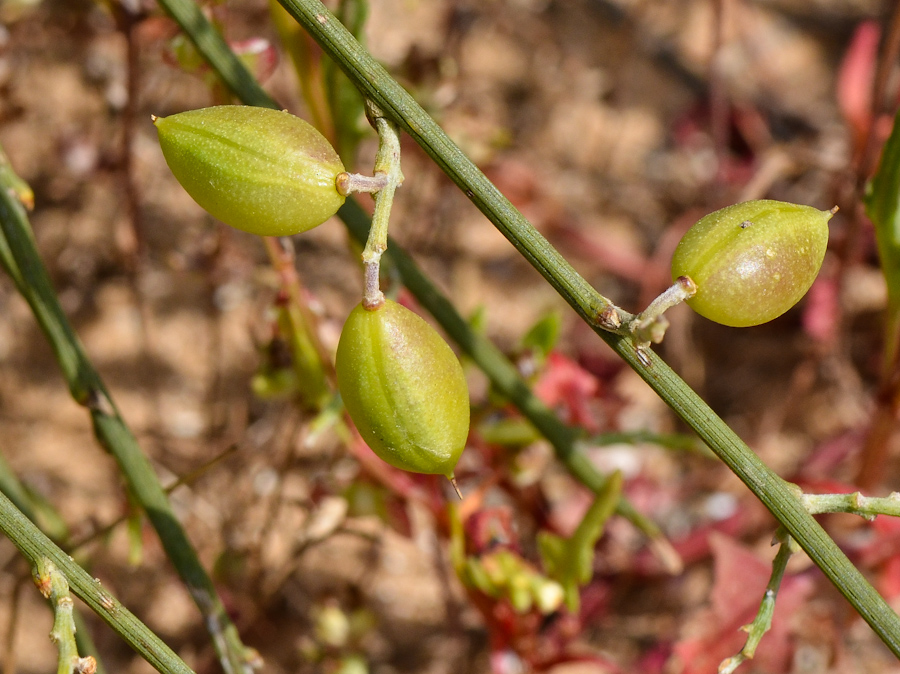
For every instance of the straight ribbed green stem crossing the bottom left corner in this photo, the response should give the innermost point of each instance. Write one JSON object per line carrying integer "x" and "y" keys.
{"x": 35, "y": 546}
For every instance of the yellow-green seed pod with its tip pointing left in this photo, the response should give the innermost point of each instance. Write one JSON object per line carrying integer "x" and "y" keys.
{"x": 262, "y": 171}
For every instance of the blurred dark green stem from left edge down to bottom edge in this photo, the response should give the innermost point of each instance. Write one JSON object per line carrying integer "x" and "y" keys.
{"x": 20, "y": 258}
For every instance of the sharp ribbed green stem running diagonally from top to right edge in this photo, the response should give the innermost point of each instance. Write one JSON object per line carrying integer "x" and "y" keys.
{"x": 377, "y": 85}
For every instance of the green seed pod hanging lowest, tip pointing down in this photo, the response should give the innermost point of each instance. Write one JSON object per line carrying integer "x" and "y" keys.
{"x": 404, "y": 389}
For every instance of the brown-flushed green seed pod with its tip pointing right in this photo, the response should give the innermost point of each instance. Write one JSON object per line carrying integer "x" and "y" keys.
{"x": 753, "y": 261}
